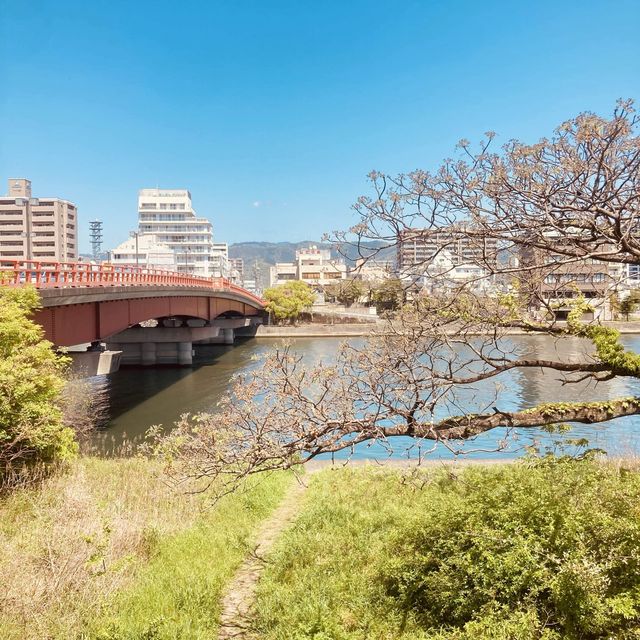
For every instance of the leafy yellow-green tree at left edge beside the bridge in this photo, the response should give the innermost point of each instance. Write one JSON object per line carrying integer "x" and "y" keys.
{"x": 31, "y": 382}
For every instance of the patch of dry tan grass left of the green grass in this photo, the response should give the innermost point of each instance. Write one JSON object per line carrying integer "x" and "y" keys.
{"x": 77, "y": 538}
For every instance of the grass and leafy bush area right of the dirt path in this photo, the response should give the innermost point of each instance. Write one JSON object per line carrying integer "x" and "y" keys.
{"x": 509, "y": 552}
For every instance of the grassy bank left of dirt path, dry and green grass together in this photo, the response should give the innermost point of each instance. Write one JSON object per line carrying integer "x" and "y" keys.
{"x": 106, "y": 550}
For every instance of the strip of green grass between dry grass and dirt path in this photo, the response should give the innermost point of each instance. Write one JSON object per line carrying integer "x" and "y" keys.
{"x": 178, "y": 594}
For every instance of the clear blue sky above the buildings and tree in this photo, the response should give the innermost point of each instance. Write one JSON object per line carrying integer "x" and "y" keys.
{"x": 273, "y": 112}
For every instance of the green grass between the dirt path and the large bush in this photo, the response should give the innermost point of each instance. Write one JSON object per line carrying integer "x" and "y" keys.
{"x": 323, "y": 578}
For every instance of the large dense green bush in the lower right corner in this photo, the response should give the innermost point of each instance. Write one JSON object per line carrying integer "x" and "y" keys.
{"x": 550, "y": 550}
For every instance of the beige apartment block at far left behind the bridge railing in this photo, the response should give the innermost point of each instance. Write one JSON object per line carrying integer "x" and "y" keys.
{"x": 37, "y": 228}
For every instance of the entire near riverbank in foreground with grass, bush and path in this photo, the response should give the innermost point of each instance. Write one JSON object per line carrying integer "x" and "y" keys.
{"x": 106, "y": 551}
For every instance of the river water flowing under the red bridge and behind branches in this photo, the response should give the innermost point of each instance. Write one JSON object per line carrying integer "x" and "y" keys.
{"x": 132, "y": 400}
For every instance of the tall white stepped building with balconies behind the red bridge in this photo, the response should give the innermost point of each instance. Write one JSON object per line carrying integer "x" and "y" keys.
{"x": 168, "y": 215}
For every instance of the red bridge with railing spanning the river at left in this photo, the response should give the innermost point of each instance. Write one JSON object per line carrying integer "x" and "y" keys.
{"x": 84, "y": 302}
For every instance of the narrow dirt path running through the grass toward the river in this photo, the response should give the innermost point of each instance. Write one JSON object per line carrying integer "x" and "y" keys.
{"x": 237, "y": 604}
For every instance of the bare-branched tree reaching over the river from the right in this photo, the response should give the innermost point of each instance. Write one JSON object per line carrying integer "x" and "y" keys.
{"x": 533, "y": 238}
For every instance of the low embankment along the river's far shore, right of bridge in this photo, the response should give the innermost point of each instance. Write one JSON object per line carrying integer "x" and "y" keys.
{"x": 317, "y": 330}
